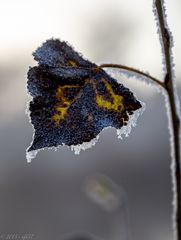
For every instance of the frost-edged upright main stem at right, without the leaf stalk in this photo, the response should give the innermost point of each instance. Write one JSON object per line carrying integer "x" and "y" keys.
{"x": 169, "y": 86}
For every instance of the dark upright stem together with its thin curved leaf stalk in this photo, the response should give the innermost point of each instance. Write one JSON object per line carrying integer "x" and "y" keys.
{"x": 168, "y": 85}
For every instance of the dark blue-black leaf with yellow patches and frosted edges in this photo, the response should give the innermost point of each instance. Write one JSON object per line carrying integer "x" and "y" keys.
{"x": 73, "y": 99}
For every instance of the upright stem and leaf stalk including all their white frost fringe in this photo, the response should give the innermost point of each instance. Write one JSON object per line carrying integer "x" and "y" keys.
{"x": 168, "y": 88}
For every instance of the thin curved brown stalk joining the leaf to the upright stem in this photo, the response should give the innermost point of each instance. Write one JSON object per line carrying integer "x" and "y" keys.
{"x": 133, "y": 70}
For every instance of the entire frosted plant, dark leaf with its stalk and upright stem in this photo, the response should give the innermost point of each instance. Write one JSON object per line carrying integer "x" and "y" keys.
{"x": 73, "y": 100}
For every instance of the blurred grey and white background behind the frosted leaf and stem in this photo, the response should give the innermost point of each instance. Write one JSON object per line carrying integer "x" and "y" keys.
{"x": 47, "y": 197}
